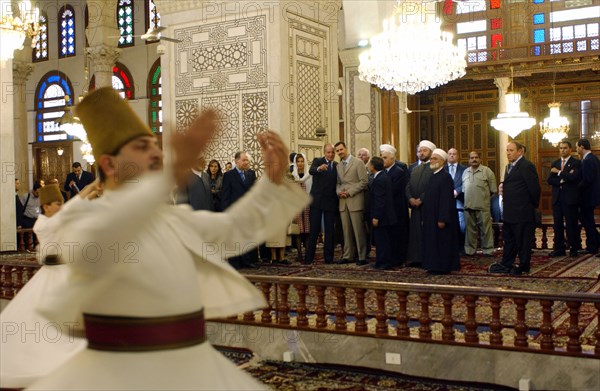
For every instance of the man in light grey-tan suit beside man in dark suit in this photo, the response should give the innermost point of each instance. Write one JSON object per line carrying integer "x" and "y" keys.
{"x": 351, "y": 185}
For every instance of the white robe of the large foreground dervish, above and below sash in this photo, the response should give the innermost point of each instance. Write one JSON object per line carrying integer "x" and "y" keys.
{"x": 133, "y": 255}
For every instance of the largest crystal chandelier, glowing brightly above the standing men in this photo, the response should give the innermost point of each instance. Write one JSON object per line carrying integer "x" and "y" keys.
{"x": 412, "y": 54}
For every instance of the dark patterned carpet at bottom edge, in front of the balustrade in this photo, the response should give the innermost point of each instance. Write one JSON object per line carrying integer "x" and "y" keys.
{"x": 292, "y": 376}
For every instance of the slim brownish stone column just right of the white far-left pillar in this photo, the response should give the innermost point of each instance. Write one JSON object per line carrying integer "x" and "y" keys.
{"x": 21, "y": 71}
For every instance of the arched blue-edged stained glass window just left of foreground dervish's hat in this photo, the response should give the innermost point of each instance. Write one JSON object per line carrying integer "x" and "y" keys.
{"x": 50, "y": 105}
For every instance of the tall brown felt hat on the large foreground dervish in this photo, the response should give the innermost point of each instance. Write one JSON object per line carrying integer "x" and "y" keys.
{"x": 109, "y": 121}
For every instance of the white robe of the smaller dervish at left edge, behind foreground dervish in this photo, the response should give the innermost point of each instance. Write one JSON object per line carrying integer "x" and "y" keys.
{"x": 31, "y": 346}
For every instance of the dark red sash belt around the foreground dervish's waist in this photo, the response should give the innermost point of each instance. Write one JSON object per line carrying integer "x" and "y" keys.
{"x": 130, "y": 334}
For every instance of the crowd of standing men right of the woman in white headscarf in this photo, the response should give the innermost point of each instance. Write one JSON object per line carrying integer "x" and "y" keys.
{"x": 429, "y": 214}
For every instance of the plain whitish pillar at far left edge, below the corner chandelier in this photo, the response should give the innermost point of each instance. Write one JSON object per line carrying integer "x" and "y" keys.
{"x": 8, "y": 226}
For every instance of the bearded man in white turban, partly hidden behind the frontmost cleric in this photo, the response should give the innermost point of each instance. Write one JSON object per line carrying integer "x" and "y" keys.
{"x": 415, "y": 191}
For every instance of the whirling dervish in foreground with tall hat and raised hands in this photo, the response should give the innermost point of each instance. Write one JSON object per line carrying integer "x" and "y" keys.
{"x": 144, "y": 306}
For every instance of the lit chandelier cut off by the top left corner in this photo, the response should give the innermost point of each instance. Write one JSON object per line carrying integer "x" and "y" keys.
{"x": 14, "y": 29}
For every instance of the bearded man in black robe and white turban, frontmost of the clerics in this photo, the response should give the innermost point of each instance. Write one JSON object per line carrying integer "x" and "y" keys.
{"x": 440, "y": 220}
